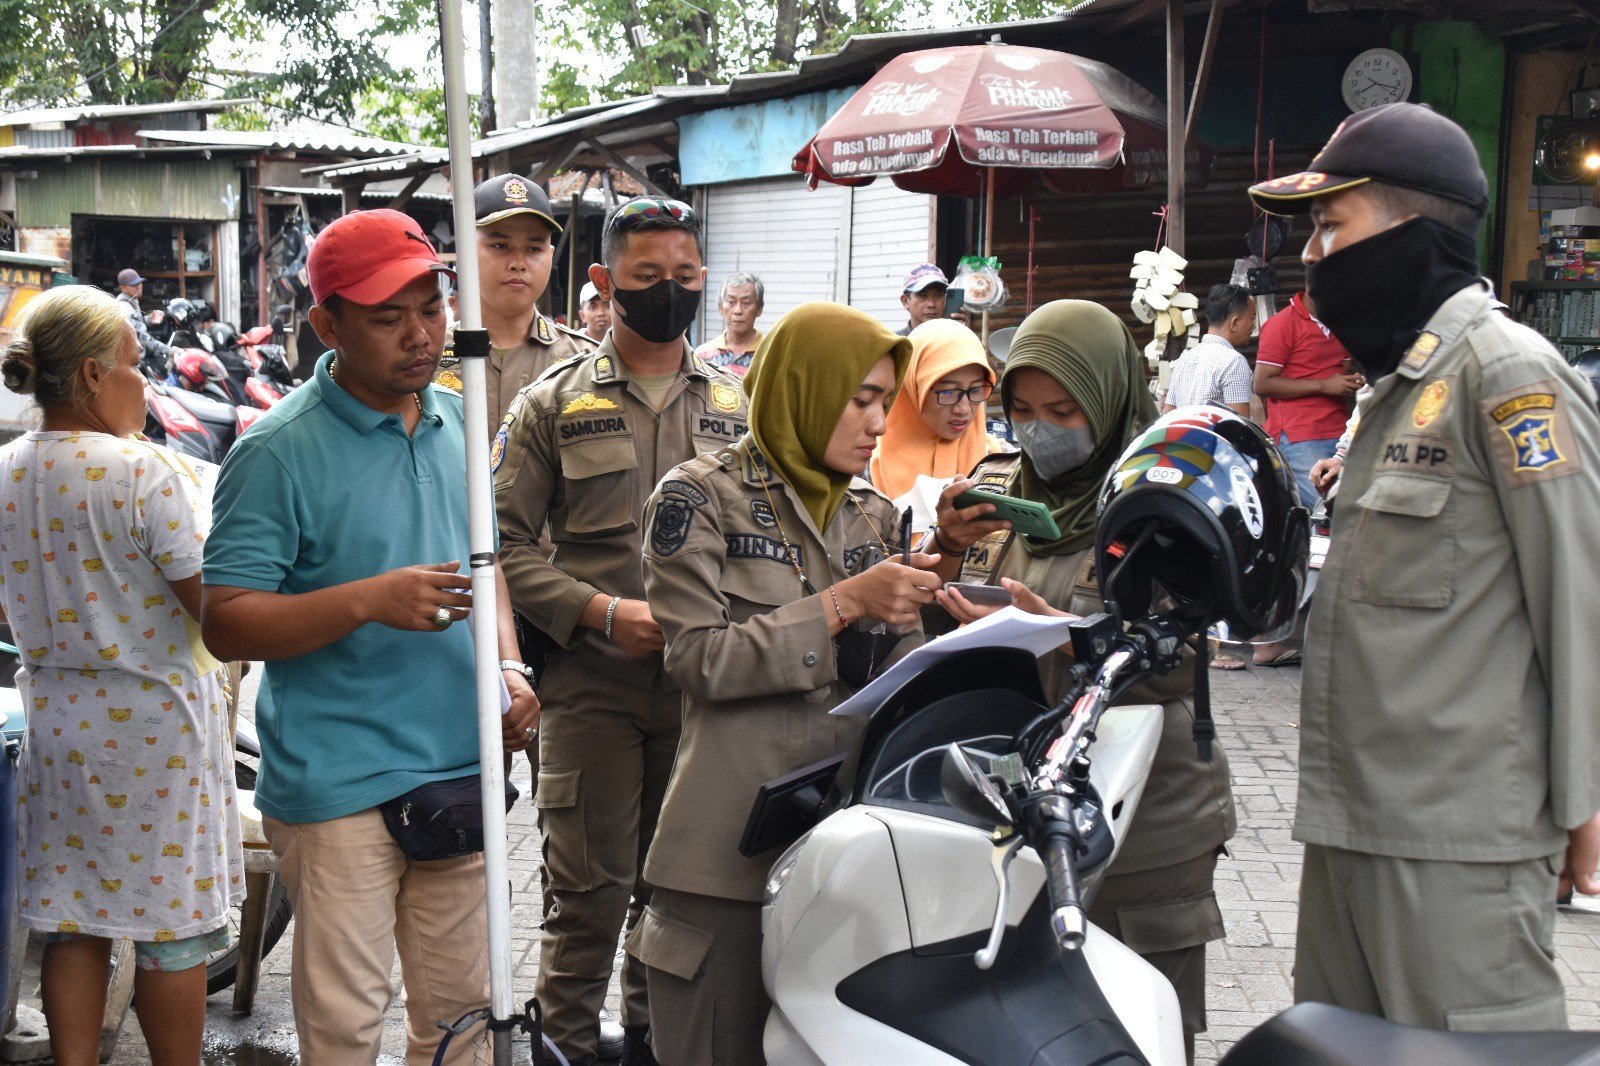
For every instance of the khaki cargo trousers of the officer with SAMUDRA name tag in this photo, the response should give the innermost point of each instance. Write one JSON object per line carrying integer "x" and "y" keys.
{"x": 606, "y": 756}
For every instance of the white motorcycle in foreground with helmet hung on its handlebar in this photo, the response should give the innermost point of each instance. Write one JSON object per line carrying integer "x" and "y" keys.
{"x": 934, "y": 908}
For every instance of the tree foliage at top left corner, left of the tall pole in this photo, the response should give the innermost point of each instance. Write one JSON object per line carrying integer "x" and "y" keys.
{"x": 303, "y": 57}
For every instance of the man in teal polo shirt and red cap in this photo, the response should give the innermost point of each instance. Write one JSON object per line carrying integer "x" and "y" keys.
{"x": 342, "y": 524}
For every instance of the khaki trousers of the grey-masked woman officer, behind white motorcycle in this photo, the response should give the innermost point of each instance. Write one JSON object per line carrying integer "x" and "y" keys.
{"x": 1167, "y": 916}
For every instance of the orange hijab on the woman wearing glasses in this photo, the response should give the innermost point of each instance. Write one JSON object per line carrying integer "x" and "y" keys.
{"x": 910, "y": 447}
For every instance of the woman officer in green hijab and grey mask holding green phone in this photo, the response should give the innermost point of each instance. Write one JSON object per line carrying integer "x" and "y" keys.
{"x": 1159, "y": 896}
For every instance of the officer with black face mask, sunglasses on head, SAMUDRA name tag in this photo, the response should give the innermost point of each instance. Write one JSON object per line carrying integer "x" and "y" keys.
{"x": 578, "y": 454}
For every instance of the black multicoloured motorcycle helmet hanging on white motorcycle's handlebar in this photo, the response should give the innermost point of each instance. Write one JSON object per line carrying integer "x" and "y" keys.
{"x": 1202, "y": 510}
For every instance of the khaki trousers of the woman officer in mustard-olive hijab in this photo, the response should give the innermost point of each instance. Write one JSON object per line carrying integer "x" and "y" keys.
{"x": 706, "y": 995}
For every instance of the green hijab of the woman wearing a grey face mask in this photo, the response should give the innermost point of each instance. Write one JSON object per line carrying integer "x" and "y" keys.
{"x": 1090, "y": 353}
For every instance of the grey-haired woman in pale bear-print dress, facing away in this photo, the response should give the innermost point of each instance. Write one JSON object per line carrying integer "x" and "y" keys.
{"x": 127, "y": 817}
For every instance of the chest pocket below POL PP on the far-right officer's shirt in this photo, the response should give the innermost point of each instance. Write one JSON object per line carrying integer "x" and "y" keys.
{"x": 1415, "y": 521}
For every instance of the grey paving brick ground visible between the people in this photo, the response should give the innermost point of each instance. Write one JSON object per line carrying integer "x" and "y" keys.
{"x": 1249, "y": 976}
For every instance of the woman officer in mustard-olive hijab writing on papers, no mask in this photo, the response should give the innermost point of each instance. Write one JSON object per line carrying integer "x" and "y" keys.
{"x": 759, "y": 561}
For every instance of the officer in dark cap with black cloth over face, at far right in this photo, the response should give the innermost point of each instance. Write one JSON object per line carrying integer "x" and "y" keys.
{"x": 1449, "y": 729}
